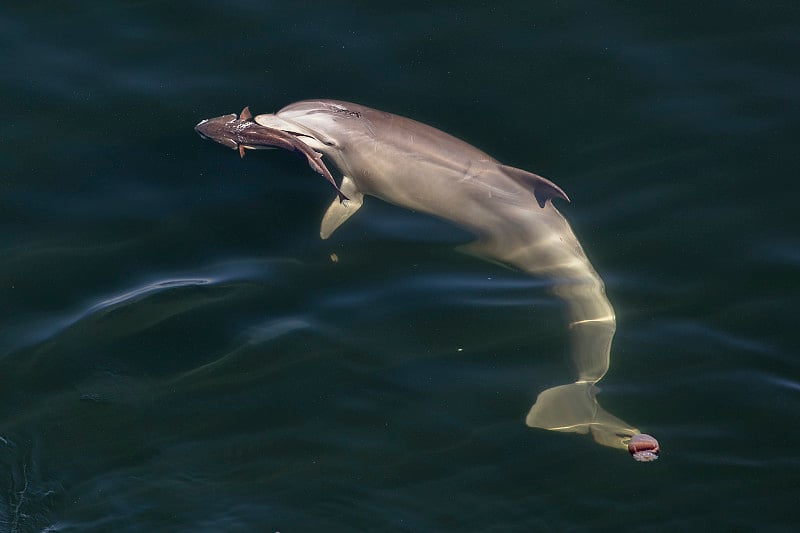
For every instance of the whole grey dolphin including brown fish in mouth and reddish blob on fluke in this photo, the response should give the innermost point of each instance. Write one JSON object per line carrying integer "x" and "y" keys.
{"x": 509, "y": 211}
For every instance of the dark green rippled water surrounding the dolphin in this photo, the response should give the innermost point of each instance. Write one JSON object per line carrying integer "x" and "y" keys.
{"x": 179, "y": 353}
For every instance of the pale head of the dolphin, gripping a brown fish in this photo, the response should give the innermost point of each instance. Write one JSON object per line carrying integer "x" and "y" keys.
{"x": 325, "y": 125}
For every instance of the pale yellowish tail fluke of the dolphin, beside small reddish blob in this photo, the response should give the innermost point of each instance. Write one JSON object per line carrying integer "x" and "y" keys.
{"x": 574, "y": 408}
